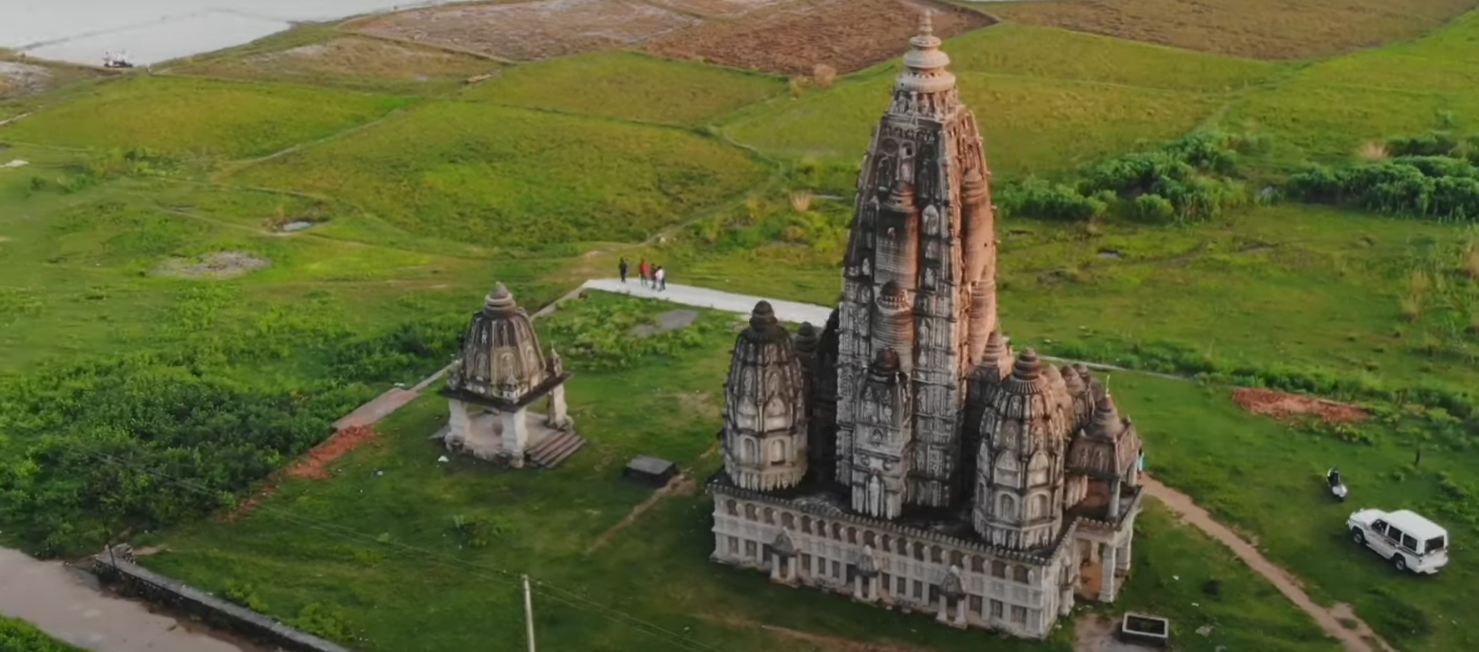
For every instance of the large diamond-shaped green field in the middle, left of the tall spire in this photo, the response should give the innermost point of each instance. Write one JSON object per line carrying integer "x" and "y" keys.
{"x": 515, "y": 178}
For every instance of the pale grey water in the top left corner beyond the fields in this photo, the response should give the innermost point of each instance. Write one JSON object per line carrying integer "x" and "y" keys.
{"x": 152, "y": 32}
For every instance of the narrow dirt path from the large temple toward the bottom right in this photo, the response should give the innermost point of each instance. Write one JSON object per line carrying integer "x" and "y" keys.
{"x": 1358, "y": 639}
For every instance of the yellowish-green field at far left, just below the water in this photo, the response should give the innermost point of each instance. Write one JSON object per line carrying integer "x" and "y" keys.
{"x": 200, "y": 118}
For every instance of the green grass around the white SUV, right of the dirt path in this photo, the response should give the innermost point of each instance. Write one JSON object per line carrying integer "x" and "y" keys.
{"x": 1268, "y": 481}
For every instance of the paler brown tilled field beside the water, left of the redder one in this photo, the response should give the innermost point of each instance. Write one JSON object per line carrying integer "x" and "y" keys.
{"x": 536, "y": 30}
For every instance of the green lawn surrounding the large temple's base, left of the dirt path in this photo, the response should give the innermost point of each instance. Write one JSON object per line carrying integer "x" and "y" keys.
{"x": 406, "y": 554}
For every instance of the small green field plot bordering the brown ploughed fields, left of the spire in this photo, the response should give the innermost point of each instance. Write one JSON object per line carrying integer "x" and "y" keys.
{"x": 629, "y": 86}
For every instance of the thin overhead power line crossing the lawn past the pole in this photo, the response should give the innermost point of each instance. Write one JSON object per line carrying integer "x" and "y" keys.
{"x": 549, "y": 591}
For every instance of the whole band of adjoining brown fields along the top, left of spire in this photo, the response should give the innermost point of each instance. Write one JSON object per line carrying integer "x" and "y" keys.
{"x": 771, "y": 36}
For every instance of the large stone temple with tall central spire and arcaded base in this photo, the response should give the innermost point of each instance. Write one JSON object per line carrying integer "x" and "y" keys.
{"x": 906, "y": 456}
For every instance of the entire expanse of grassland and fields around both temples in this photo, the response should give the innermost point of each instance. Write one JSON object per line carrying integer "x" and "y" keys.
{"x": 286, "y": 230}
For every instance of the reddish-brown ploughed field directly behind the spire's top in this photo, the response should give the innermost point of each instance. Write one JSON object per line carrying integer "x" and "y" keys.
{"x": 799, "y": 36}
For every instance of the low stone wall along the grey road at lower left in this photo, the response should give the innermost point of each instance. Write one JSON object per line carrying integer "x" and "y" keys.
{"x": 116, "y": 567}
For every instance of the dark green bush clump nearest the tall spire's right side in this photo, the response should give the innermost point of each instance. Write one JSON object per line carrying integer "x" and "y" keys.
{"x": 1188, "y": 180}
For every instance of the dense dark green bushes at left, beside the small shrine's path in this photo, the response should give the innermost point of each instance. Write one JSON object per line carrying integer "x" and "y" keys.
{"x": 138, "y": 441}
